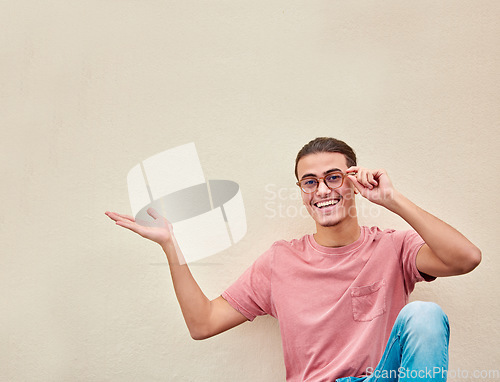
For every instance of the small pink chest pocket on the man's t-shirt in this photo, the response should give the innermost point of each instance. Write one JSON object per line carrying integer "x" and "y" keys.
{"x": 368, "y": 301}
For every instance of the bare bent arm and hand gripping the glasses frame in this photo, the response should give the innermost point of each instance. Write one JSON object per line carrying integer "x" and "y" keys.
{"x": 446, "y": 251}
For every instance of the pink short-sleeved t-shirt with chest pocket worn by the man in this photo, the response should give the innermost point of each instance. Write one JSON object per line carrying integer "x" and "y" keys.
{"x": 335, "y": 306}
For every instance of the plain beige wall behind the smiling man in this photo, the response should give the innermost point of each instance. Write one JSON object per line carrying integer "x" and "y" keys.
{"x": 90, "y": 88}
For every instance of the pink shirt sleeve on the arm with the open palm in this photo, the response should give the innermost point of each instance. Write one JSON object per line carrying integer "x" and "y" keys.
{"x": 250, "y": 294}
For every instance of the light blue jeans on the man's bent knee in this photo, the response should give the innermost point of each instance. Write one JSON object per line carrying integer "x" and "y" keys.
{"x": 417, "y": 349}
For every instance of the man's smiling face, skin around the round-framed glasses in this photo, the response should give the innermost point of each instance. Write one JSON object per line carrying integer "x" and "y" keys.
{"x": 343, "y": 208}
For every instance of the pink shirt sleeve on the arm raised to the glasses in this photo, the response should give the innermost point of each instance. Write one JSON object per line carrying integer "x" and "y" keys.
{"x": 407, "y": 244}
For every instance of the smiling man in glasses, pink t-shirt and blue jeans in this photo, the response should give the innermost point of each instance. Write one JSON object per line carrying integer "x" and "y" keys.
{"x": 340, "y": 295}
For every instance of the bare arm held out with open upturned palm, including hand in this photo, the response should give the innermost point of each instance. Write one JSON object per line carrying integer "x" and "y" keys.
{"x": 204, "y": 318}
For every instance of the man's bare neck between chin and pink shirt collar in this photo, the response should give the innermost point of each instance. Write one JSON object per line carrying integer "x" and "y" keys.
{"x": 340, "y": 235}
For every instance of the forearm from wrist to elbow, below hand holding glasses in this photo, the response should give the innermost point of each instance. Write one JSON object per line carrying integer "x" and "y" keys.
{"x": 451, "y": 247}
